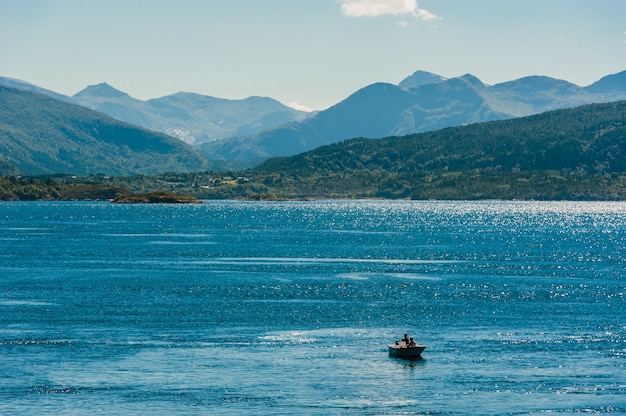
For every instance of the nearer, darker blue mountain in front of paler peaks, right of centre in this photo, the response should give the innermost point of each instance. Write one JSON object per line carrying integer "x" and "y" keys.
{"x": 378, "y": 110}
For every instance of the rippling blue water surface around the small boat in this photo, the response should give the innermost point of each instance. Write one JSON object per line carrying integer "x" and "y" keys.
{"x": 287, "y": 307}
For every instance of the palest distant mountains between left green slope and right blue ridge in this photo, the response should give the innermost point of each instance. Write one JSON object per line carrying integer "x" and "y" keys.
{"x": 193, "y": 118}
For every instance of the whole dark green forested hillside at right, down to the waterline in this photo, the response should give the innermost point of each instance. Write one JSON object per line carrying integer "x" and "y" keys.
{"x": 567, "y": 154}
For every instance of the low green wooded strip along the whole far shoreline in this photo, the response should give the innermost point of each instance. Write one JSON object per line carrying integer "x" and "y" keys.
{"x": 196, "y": 187}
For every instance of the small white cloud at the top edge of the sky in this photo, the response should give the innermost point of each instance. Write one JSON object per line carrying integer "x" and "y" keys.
{"x": 373, "y": 8}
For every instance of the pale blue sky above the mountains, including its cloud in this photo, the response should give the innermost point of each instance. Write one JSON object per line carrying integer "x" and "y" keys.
{"x": 309, "y": 54}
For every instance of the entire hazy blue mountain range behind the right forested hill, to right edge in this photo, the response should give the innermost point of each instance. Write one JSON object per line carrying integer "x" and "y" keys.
{"x": 381, "y": 110}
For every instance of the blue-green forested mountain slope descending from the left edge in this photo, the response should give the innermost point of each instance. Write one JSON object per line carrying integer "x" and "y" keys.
{"x": 40, "y": 135}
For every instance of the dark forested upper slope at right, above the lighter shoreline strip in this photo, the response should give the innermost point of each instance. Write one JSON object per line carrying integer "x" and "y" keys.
{"x": 589, "y": 139}
